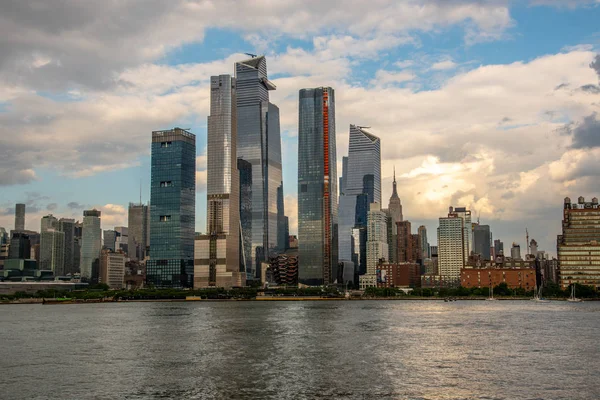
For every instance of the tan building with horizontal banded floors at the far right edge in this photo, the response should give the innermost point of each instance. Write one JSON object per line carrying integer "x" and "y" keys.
{"x": 579, "y": 244}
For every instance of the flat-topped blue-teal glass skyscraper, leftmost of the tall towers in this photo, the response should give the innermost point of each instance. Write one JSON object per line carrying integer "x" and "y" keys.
{"x": 172, "y": 209}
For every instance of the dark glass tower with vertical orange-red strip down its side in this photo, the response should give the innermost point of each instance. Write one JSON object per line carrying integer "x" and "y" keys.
{"x": 317, "y": 187}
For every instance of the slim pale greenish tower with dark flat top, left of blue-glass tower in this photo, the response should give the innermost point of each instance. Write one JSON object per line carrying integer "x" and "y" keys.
{"x": 91, "y": 245}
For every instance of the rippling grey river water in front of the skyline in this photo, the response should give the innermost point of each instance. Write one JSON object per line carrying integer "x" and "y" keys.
{"x": 301, "y": 350}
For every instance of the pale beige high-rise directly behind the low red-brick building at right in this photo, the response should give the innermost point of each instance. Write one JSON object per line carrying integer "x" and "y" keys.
{"x": 453, "y": 242}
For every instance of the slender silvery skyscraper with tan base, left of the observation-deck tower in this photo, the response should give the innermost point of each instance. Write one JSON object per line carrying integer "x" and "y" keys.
{"x": 217, "y": 254}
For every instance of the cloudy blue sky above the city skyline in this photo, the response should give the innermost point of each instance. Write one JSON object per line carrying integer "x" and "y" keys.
{"x": 492, "y": 105}
